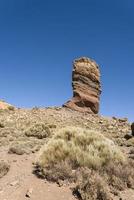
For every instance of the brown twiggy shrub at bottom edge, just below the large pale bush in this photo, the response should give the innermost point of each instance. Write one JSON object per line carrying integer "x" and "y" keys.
{"x": 91, "y": 186}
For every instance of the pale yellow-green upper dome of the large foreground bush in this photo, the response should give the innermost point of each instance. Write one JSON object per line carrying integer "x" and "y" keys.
{"x": 81, "y": 147}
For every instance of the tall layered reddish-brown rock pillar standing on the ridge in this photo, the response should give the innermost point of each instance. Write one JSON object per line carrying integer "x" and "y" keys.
{"x": 86, "y": 86}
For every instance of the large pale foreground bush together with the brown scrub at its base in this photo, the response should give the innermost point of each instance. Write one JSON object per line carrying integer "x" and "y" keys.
{"x": 92, "y": 161}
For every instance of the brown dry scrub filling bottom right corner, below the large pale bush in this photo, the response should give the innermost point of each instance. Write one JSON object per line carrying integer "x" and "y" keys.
{"x": 101, "y": 184}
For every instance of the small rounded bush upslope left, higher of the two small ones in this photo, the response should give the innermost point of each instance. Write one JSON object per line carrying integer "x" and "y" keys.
{"x": 38, "y": 130}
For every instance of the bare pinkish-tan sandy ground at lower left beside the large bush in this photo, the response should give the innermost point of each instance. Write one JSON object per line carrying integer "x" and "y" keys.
{"x": 20, "y": 179}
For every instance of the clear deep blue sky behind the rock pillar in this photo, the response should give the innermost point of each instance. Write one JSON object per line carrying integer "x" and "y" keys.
{"x": 40, "y": 38}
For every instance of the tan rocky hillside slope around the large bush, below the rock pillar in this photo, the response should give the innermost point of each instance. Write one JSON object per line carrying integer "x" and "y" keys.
{"x": 24, "y": 132}
